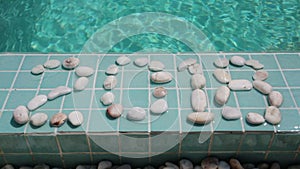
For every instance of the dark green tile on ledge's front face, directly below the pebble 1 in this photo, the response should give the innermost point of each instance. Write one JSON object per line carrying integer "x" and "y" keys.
{"x": 190, "y": 143}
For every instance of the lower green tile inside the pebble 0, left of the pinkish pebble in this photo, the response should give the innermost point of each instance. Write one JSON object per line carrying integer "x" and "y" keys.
{"x": 135, "y": 98}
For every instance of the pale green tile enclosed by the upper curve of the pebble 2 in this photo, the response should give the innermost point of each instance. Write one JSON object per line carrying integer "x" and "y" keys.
{"x": 54, "y": 79}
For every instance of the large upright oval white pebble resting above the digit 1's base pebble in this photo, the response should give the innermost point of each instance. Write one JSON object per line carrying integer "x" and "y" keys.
{"x": 198, "y": 100}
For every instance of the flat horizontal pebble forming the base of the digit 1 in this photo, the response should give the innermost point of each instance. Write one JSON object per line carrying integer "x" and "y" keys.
{"x": 201, "y": 117}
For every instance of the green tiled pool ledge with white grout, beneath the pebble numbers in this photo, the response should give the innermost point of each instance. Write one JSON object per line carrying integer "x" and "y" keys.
{"x": 67, "y": 146}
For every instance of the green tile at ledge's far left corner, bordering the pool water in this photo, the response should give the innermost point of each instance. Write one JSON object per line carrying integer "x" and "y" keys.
{"x": 10, "y": 62}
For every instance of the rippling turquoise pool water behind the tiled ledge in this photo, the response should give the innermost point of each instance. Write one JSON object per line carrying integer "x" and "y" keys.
{"x": 64, "y": 26}
